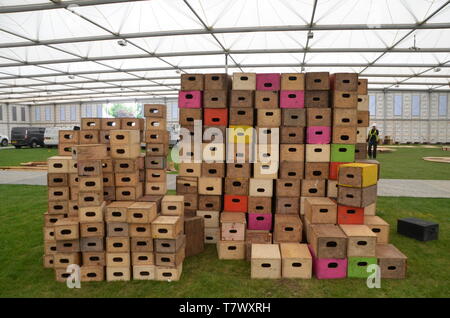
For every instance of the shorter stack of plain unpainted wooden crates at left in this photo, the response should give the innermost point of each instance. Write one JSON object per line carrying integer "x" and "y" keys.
{"x": 108, "y": 212}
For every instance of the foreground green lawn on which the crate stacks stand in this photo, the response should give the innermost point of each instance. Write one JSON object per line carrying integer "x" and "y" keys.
{"x": 22, "y": 274}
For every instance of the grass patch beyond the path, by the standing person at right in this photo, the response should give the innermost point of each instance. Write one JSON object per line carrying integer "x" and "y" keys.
{"x": 407, "y": 163}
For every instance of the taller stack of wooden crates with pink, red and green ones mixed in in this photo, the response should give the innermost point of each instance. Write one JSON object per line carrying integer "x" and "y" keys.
{"x": 304, "y": 125}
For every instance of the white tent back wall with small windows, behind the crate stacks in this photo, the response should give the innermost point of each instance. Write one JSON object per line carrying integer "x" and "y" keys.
{"x": 428, "y": 126}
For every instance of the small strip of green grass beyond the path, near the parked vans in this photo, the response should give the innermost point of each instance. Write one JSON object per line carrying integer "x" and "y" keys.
{"x": 13, "y": 157}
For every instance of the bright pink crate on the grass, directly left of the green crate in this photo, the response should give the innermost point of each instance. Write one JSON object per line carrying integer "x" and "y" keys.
{"x": 328, "y": 268}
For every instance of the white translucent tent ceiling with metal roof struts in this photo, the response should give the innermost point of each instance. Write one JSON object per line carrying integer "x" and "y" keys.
{"x": 66, "y": 50}
